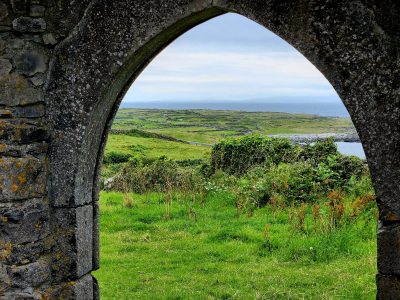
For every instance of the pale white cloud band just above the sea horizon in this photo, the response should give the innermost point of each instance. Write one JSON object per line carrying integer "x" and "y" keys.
{"x": 214, "y": 74}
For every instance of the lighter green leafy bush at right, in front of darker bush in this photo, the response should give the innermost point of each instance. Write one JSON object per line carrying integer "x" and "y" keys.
{"x": 302, "y": 182}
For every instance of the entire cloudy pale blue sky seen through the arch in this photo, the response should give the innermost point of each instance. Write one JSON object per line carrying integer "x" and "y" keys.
{"x": 230, "y": 58}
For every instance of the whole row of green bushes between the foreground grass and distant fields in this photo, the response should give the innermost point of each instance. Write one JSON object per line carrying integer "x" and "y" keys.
{"x": 259, "y": 170}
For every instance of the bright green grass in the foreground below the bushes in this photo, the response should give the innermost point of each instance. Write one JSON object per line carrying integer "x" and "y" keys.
{"x": 210, "y": 253}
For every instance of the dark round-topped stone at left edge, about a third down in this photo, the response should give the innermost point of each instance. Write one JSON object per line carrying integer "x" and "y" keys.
{"x": 17, "y": 90}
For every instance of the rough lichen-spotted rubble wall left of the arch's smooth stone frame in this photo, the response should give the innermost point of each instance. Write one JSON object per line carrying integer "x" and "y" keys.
{"x": 29, "y": 32}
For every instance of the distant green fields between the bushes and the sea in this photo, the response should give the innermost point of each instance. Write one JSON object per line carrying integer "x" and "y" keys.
{"x": 207, "y": 126}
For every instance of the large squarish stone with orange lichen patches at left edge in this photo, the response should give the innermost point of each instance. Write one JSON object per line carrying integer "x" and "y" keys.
{"x": 22, "y": 178}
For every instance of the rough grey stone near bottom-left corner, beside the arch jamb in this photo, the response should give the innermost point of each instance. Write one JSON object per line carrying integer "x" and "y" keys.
{"x": 30, "y": 275}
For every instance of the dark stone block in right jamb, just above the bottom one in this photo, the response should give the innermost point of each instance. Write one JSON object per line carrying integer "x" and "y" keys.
{"x": 389, "y": 248}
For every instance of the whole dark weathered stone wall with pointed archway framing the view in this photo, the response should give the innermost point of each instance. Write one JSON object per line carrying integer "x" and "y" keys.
{"x": 64, "y": 68}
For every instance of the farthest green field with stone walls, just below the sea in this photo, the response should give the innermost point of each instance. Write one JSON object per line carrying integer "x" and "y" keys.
{"x": 210, "y": 126}
